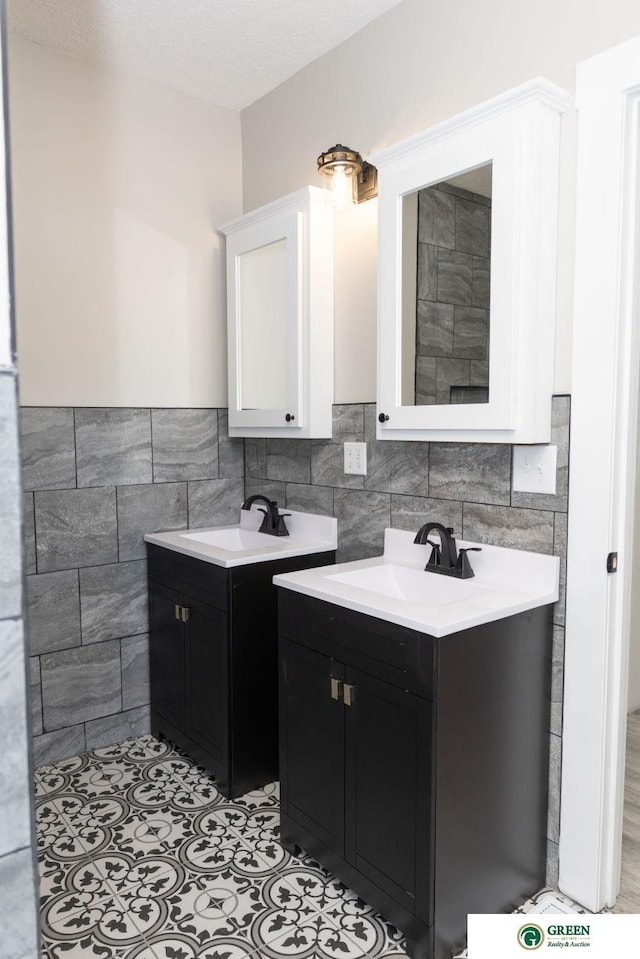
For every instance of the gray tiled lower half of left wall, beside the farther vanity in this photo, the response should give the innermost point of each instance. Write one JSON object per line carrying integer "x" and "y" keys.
{"x": 96, "y": 480}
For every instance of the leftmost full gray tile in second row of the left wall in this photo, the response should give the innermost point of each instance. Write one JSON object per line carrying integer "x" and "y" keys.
{"x": 75, "y": 528}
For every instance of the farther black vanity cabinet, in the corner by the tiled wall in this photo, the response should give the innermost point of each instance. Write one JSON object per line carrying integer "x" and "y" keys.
{"x": 213, "y": 662}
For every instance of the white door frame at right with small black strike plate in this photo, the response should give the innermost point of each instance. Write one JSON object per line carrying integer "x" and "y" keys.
{"x": 602, "y": 474}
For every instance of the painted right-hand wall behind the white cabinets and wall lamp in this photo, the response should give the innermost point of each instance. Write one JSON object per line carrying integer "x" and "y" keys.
{"x": 420, "y": 63}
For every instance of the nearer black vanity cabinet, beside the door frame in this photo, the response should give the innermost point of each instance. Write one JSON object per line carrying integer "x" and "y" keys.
{"x": 415, "y": 768}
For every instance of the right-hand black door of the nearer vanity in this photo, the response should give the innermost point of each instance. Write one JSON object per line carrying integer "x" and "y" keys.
{"x": 383, "y": 784}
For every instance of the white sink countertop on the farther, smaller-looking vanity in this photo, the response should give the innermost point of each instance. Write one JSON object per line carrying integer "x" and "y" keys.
{"x": 308, "y": 533}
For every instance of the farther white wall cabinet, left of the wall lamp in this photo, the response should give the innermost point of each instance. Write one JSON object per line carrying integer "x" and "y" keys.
{"x": 280, "y": 318}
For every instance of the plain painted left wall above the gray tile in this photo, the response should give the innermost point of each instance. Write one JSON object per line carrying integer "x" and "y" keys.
{"x": 118, "y": 185}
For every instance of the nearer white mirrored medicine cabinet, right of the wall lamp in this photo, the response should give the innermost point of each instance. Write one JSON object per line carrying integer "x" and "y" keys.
{"x": 466, "y": 273}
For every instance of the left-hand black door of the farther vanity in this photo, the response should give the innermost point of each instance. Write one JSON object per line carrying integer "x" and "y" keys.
{"x": 166, "y": 645}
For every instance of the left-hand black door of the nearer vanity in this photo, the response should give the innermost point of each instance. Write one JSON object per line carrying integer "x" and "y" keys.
{"x": 312, "y": 742}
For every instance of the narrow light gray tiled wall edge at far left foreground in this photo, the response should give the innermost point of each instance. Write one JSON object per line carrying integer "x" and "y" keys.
{"x": 19, "y": 929}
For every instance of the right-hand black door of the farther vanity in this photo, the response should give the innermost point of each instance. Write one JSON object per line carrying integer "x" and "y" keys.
{"x": 207, "y": 679}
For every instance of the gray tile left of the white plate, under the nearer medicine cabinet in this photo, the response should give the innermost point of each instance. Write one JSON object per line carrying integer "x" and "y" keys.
{"x": 473, "y": 472}
